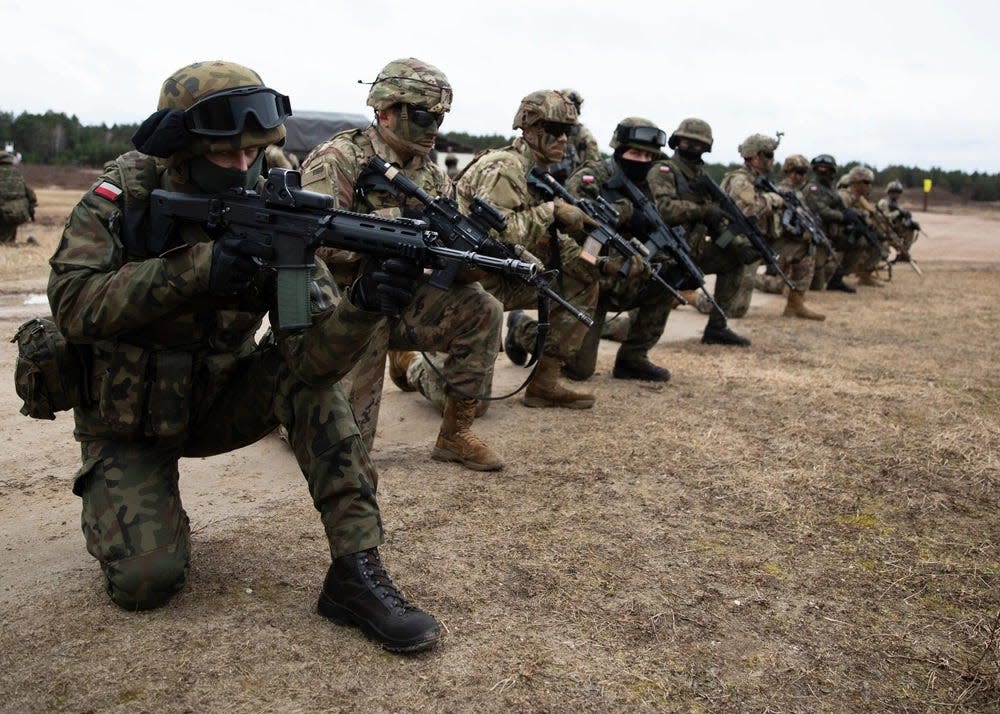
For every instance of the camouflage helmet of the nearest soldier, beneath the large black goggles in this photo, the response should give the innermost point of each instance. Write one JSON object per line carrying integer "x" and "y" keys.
{"x": 192, "y": 85}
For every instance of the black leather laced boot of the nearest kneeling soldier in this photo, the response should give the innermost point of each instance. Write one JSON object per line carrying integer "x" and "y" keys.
{"x": 358, "y": 592}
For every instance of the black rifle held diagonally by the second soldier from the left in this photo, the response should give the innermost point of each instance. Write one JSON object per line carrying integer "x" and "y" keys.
{"x": 468, "y": 233}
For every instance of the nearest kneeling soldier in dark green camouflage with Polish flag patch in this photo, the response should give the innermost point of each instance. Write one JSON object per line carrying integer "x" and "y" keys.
{"x": 175, "y": 370}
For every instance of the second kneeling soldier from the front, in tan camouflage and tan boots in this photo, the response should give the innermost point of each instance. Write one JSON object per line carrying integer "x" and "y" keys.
{"x": 410, "y": 99}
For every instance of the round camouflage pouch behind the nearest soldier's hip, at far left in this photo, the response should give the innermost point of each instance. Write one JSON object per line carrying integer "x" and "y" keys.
{"x": 50, "y": 374}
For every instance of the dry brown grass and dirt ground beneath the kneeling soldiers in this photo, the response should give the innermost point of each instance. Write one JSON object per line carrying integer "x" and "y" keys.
{"x": 808, "y": 525}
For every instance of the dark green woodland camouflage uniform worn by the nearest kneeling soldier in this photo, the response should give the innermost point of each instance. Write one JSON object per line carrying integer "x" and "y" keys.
{"x": 175, "y": 372}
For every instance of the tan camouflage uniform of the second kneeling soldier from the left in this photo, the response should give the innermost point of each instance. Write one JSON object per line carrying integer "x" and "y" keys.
{"x": 463, "y": 322}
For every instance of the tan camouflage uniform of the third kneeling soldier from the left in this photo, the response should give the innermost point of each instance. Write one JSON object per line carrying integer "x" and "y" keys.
{"x": 500, "y": 178}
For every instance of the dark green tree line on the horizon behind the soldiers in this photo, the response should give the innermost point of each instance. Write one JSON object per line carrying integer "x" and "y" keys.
{"x": 58, "y": 139}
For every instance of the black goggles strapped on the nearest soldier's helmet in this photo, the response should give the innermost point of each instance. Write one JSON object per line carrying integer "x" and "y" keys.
{"x": 226, "y": 113}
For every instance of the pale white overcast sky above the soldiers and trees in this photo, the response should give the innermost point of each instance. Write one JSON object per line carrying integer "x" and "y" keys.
{"x": 880, "y": 81}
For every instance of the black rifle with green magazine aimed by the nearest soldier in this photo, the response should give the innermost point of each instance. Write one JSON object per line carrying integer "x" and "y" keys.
{"x": 299, "y": 221}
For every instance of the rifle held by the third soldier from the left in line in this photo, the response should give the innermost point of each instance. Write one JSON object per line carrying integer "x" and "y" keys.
{"x": 605, "y": 215}
